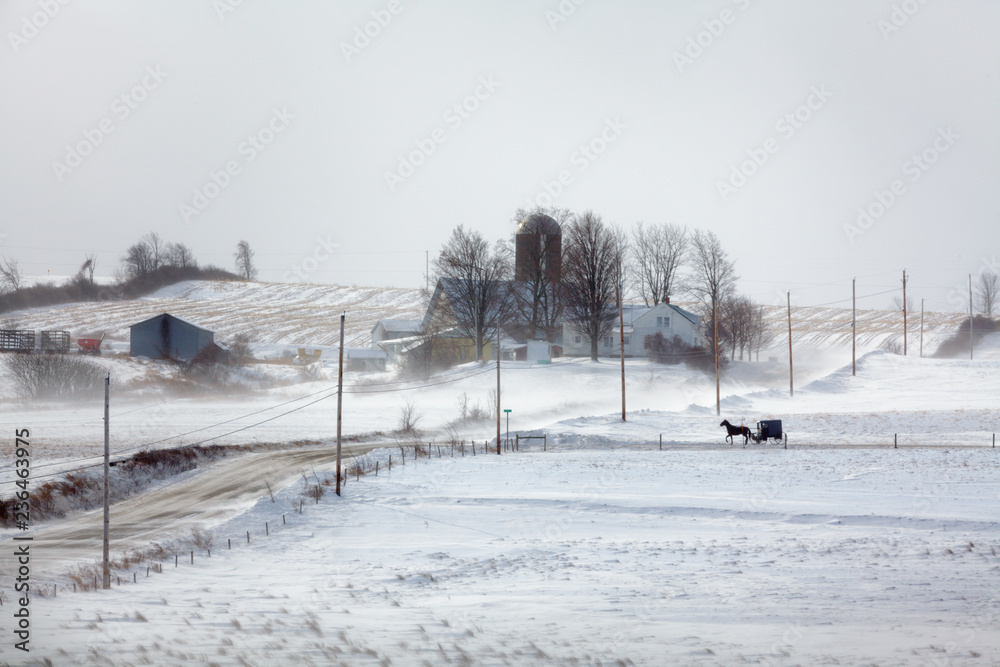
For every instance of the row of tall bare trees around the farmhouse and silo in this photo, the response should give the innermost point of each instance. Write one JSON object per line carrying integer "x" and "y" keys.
{"x": 601, "y": 266}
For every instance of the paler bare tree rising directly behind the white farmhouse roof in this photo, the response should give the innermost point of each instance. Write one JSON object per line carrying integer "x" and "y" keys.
{"x": 658, "y": 252}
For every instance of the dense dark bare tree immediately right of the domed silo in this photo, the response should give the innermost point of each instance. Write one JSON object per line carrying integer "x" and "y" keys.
{"x": 592, "y": 277}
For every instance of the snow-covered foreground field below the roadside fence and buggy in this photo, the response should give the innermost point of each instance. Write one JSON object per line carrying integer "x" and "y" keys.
{"x": 767, "y": 556}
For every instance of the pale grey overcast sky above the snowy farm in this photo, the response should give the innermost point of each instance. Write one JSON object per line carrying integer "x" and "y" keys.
{"x": 377, "y": 127}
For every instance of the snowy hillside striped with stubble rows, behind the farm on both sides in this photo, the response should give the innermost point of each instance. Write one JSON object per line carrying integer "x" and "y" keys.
{"x": 307, "y": 314}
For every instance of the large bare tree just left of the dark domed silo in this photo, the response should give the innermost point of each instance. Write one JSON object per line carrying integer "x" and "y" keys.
{"x": 475, "y": 278}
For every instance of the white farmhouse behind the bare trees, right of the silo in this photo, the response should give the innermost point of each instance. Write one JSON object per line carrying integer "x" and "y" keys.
{"x": 640, "y": 322}
